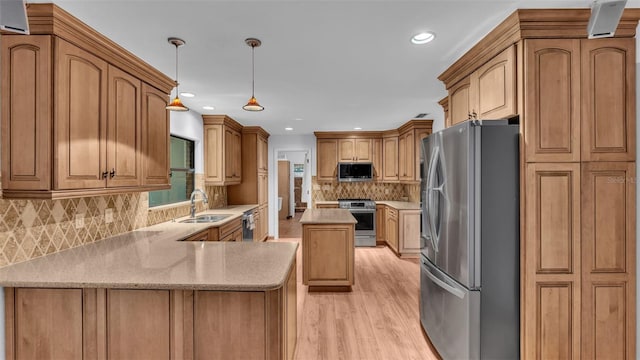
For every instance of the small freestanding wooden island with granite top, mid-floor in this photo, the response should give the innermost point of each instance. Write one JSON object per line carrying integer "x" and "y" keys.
{"x": 328, "y": 249}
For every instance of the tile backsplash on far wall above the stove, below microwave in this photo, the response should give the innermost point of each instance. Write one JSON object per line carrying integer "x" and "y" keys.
{"x": 376, "y": 191}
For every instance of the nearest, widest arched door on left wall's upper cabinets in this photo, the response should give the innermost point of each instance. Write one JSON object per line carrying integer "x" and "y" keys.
{"x": 81, "y": 118}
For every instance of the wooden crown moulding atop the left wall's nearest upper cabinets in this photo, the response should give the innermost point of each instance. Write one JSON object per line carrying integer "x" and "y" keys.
{"x": 51, "y": 19}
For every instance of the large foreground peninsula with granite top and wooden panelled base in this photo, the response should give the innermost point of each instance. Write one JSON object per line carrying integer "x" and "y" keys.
{"x": 144, "y": 294}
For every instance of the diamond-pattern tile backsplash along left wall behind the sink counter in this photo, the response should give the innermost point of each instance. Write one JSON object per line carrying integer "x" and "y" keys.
{"x": 33, "y": 228}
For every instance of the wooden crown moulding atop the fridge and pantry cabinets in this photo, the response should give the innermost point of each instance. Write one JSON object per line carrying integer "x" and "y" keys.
{"x": 530, "y": 24}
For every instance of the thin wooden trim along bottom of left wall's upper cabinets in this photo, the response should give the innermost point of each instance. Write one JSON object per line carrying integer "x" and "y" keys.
{"x": 69, "y": 194}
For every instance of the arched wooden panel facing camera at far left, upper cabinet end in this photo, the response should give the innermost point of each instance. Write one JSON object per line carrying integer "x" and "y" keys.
{"x": 26, "y": 105}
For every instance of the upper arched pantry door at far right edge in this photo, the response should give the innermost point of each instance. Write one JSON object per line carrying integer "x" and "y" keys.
{"x": 608, "y": 99}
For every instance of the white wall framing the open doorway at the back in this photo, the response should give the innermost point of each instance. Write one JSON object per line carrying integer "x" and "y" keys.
{"x": 283, "y": 143}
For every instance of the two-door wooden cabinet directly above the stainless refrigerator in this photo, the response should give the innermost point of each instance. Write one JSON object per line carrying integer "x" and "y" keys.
{"x": 488, "y": 93}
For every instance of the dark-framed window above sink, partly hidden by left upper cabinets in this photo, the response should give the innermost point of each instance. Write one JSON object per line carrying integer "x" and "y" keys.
{"x": 182, "y": 174}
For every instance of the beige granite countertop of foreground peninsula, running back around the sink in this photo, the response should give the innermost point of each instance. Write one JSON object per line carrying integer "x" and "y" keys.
{"x": 151, "y": 258}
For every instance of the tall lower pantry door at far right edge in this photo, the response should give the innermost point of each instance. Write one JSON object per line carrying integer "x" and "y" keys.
{"x": 608, "y": 260}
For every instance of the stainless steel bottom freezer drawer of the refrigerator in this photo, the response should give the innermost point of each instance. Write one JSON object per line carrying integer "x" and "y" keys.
{"x": 450, "y": 314}
